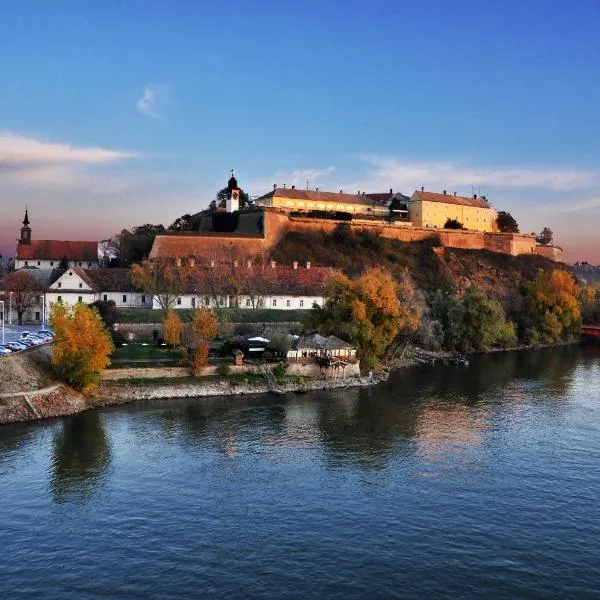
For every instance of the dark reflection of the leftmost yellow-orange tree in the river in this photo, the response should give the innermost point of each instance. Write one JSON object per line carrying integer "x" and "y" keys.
{"x": 81, "y": 455}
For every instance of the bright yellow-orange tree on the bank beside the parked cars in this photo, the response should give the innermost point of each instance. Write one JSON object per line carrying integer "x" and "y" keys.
{"x": 81, "y": 345}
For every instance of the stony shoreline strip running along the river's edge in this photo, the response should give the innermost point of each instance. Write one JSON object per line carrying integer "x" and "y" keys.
{"x": 58, "y": 400}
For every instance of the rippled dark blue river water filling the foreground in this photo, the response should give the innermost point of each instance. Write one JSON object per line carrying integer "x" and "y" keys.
{"x": 444, "y": 482}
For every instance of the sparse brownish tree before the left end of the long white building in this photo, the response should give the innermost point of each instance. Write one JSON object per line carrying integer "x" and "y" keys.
{"x": 164, "y": 279}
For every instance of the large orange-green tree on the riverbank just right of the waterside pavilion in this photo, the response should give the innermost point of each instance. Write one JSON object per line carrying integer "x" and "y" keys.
{"x": 365, "y": 311}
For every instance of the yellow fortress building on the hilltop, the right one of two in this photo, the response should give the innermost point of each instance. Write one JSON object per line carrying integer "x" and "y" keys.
{"x": 429, "y": 209}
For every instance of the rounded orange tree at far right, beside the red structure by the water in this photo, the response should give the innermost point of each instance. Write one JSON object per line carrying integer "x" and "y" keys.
{"x": 553, "y": 307}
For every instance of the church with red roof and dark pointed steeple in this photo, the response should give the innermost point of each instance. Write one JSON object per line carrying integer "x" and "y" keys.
{"x": 48, "y": 254}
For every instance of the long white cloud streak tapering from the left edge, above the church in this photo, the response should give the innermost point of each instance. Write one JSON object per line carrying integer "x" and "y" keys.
{"x": 18, "y": 153}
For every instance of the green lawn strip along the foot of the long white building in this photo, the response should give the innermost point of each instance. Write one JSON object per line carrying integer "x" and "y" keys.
{"x": 233, "y": 315}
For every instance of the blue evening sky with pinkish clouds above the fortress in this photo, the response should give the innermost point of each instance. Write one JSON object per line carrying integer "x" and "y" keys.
{"x": 124, "y": 112}
